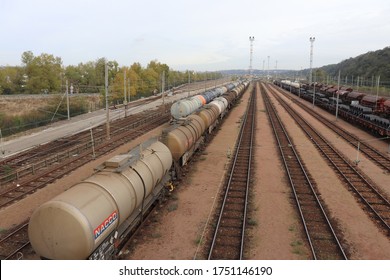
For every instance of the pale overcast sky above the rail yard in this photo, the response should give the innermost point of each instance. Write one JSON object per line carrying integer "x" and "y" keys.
{"x": 202, "y": 35}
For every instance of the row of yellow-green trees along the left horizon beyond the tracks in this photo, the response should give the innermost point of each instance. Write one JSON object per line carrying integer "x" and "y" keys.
{"x": 46, "y": 74}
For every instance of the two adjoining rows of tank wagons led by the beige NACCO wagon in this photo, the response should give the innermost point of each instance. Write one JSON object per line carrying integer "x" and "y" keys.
{"x": 92, "y": 219}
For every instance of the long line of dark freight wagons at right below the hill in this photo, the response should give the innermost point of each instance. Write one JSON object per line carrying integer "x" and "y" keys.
{"x": 368, "y": 111}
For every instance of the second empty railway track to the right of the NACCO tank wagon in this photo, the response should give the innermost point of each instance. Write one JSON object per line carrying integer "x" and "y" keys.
{"x": 321, "y": 236}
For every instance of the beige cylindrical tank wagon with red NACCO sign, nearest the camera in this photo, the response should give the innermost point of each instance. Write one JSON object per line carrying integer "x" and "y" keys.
{"x": 87, "y": 220}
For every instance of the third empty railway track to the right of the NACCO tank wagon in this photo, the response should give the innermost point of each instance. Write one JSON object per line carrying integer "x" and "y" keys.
{"x": 375, "y": 205}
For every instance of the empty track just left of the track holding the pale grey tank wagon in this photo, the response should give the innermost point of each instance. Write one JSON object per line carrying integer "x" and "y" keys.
{"x": 52, "y": 172}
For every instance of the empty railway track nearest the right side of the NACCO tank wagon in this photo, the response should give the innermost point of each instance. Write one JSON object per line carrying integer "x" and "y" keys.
{"x": 229, "y": 235}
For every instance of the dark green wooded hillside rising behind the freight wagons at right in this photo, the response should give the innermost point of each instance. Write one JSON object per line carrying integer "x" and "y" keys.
{"x": 366, "y": 66}
